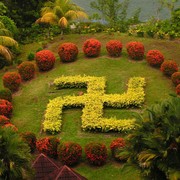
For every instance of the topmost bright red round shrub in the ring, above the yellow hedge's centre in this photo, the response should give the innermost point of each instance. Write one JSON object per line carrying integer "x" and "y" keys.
{"x": 92, "y": 48}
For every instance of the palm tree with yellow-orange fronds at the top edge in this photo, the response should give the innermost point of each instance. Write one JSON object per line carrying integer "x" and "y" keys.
{"x": 61, "y": 12}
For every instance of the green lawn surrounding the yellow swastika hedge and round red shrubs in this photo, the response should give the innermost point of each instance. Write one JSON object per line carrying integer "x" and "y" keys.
{"x": 30, "y": 102}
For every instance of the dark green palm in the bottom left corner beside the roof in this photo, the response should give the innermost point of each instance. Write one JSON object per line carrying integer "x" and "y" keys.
{"x": 14, "y": 155}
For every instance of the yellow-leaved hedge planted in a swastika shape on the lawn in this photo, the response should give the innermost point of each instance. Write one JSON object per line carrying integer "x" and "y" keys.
{"x": 93, "y": 102}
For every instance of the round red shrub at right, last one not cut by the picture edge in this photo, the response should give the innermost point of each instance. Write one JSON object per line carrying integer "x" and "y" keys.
{"x": 169, "y": 67}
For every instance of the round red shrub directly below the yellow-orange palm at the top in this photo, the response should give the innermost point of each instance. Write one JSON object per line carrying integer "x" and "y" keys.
{"x": 68, "y": 52}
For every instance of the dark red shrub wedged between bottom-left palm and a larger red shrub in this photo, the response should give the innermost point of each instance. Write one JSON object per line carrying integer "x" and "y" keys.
{"x": 30, "y": 139}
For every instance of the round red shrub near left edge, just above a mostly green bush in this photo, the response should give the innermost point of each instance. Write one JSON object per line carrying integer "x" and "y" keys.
{"x": 12, "y": 80}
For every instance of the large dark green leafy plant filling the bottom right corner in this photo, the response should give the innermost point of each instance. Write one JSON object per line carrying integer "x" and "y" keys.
{"x": 153, "y": 150}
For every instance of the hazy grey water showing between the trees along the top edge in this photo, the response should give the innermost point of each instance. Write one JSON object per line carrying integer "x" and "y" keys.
{"x": 148, "y": 8}
